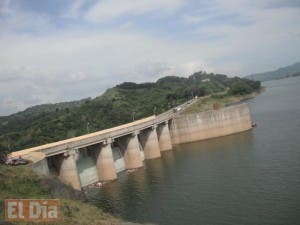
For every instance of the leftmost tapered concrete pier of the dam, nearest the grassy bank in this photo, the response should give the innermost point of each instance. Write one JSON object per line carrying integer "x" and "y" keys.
{"x": 68, "y": 169}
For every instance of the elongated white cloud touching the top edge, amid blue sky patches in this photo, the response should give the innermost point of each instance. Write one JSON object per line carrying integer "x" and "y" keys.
{"x": 112, "y": 9}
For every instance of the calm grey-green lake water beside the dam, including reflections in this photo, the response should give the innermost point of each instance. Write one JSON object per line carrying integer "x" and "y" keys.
{"x": 247, "y": 178}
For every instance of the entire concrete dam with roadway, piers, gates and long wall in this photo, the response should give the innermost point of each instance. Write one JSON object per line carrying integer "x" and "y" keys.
{"x": 100, "y": 156}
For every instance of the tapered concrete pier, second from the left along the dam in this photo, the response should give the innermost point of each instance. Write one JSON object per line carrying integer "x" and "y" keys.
{"x": 105, "y": 162}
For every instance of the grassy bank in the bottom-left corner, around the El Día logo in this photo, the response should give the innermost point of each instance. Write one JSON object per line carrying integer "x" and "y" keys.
{"x": 21, "y": 182}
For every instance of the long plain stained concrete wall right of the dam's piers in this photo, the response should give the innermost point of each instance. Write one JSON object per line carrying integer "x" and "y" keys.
{"x": 210, "y": 124}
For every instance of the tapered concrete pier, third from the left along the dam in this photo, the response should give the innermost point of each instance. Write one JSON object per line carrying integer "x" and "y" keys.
{"x": 132, "y": 153}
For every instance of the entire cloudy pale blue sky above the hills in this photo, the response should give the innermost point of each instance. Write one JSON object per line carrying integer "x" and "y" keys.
{"x": 62, "y": 50}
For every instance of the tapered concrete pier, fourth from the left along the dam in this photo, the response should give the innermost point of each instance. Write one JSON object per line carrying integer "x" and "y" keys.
{"x": 150, "y": 143}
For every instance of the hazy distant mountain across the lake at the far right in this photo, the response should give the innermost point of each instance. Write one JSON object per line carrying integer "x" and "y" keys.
{"x": 288, "y": 71}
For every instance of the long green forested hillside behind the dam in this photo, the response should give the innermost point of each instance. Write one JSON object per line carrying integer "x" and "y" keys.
{"x": 52, "y": 122}
